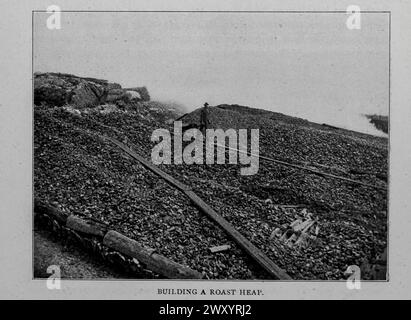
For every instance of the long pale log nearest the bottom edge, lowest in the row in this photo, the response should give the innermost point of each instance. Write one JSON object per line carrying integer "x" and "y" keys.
{"x": 149, "y": 258}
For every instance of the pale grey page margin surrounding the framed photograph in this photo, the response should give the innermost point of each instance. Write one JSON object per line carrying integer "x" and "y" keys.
{"x": 16, "y": 162}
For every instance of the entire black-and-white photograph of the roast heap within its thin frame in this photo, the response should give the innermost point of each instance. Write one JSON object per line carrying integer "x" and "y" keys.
{"x": 211, "y": 145}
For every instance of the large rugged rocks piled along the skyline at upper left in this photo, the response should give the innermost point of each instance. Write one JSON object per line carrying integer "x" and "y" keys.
{"x": 58, "y": 89}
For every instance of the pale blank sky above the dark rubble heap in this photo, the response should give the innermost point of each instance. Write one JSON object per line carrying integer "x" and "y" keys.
{"x": 308, "y": 65}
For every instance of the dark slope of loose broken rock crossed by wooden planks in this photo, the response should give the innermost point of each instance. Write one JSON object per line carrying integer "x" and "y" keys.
{"x": 83, "y": 174}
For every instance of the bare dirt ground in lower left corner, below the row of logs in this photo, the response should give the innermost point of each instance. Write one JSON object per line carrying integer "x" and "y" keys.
{"x": 74, "y": 264}
